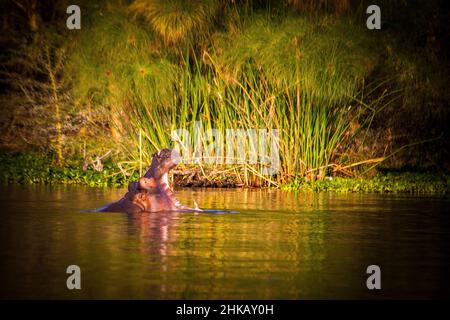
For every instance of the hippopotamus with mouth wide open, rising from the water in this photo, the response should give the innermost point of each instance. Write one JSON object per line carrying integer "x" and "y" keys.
{"x": 152, "y": 192}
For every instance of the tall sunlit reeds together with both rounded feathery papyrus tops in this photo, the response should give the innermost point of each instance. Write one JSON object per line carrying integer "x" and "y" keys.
{"x": 300, "y": 76}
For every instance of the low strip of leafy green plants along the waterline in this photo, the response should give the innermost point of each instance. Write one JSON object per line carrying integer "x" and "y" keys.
{"x": 32, "y": 168}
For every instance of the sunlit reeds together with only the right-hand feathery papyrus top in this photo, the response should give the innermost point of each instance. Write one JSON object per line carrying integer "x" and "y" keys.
{"x": 287, "y": 80}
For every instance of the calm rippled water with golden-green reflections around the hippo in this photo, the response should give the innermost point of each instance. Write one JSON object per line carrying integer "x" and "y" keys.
{"x": 279, "y": 246}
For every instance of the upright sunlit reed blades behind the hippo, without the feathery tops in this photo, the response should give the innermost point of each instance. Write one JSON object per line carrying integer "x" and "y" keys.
{"x": 310, "y": 128}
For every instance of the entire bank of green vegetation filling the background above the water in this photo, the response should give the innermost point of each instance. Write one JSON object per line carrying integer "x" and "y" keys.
{"x": 343, "y": 99}
